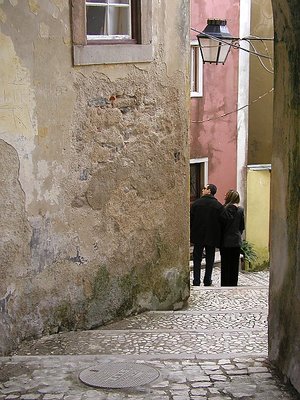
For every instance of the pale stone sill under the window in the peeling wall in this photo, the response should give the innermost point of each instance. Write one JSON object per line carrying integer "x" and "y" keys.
{"x": 112, "y": 54}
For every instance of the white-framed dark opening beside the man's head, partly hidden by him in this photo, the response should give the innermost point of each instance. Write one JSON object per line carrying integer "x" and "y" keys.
{"x": 198, "y": 177}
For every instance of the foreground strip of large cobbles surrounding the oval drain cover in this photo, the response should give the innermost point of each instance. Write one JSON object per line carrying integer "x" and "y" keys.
{"x": 56, "y": 378}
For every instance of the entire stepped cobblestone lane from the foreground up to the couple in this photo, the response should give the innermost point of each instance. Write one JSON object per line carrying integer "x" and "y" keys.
{"x": 214, "y": 349}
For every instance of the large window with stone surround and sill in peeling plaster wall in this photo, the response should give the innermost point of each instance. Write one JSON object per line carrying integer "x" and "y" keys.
{"x": 111, "y": 31}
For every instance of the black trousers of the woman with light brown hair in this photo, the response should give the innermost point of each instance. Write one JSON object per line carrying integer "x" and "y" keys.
{"x": 230, "y": 258}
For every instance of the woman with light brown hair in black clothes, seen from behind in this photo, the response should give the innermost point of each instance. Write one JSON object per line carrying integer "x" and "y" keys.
{"x": 233, "y": 224}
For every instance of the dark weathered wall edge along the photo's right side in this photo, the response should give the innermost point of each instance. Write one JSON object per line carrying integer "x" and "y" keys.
{"x": 284, "y": 320}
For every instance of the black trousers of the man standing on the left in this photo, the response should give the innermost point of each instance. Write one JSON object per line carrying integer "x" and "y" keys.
{"x": 197, "y": 258}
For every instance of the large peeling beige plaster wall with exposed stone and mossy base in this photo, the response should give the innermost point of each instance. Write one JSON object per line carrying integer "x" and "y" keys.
{"x": 95, "y": 186}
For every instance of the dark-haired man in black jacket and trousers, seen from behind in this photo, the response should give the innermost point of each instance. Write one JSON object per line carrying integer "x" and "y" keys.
{"x": 205, "y": 232}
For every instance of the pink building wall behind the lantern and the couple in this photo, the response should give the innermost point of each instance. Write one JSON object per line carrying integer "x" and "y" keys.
{"x": 217, "y": 138}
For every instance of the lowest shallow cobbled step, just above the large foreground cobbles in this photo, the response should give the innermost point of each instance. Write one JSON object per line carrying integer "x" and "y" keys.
{"x": 149, "y": 342}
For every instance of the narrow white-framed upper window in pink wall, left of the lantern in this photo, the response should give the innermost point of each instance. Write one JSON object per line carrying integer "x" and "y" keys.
{"x": 196, "y": 71}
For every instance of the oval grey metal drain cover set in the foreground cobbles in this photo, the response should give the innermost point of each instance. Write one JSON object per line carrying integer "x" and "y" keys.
{"x": 118, "y": 375}
